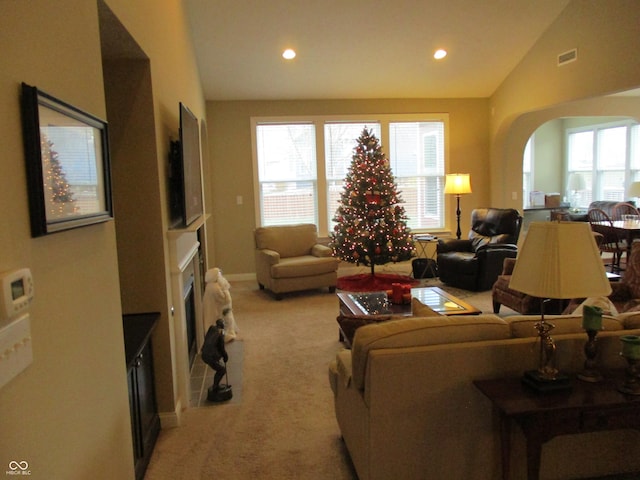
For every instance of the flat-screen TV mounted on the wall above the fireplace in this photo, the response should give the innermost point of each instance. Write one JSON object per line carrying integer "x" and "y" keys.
{"x": 185, "y": 182}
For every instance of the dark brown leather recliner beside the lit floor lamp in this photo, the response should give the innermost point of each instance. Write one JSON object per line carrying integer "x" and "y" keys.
{"x": 475, "y": 263}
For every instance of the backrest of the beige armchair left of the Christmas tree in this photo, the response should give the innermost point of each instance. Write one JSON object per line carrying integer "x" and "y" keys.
{"x": 287, "y": 240}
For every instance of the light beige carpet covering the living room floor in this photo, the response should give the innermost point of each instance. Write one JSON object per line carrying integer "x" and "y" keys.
{"x": 284, "y": 427}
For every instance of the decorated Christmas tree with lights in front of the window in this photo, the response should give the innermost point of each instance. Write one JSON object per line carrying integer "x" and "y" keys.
{"x": 370, "y": 221}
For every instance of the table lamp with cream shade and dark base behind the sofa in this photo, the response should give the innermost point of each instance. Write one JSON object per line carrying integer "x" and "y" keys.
{"x": 557, "y": 260}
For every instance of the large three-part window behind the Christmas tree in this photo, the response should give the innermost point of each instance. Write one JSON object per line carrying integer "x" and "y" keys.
{"x": 300, "y": 164}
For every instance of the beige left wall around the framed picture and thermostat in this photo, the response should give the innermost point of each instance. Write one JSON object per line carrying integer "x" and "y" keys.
{"x": 68, "y": 413}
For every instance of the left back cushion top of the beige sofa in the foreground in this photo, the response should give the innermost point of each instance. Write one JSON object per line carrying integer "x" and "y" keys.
{"x": 422, "y": 331}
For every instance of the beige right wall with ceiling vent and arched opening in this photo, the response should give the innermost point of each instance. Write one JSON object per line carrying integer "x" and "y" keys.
{"x": 537, "y": 90}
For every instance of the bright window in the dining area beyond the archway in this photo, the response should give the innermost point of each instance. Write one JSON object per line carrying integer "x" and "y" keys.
{"x": 603, "y": 161}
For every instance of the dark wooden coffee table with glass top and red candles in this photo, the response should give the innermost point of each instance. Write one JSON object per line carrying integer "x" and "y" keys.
{"x": 375, "y": 307}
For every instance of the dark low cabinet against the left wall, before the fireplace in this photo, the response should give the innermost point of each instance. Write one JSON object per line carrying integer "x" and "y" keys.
{"x": 145, "y": 422}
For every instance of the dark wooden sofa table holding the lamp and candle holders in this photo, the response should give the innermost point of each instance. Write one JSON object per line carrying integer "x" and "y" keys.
{"x": 587, "y": 407}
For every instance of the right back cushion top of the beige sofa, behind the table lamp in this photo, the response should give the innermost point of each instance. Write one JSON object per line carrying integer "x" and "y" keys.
{"x": 523, "y": 326}
